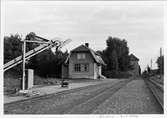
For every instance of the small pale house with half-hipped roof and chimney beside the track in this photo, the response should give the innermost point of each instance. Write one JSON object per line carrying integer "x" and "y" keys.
{"x": 83, "y": 62}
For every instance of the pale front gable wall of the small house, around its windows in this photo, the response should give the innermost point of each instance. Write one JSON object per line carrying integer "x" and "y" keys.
{"x": 88, "y": 59}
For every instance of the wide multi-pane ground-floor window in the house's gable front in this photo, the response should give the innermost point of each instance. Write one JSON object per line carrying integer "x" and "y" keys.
{"x": 81, "y": 67}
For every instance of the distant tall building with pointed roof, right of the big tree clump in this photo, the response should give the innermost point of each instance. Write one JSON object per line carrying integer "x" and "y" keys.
{"x": 135, "y": 65}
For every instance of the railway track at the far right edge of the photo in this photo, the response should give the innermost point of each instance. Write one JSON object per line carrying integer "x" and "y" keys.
{"x": 157, "y": 90}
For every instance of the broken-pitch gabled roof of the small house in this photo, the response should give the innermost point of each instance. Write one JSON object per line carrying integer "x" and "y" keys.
{"x": 82, "y": 48}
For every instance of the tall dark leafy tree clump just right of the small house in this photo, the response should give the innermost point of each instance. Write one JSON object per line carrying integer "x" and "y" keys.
{"x": 116, "y": 56}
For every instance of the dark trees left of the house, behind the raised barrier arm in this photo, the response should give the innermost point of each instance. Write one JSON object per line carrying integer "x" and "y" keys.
{"x": 45, "y": 64}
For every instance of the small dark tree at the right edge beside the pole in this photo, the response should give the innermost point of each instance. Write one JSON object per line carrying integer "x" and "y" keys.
{"x": 160, "y": 63}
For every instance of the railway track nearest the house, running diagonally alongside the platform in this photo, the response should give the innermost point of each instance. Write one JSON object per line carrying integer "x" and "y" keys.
{"x": 92, "y": 100}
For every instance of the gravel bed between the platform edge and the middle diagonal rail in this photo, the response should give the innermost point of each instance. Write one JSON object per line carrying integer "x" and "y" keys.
{"x": 57, "y": 104}
